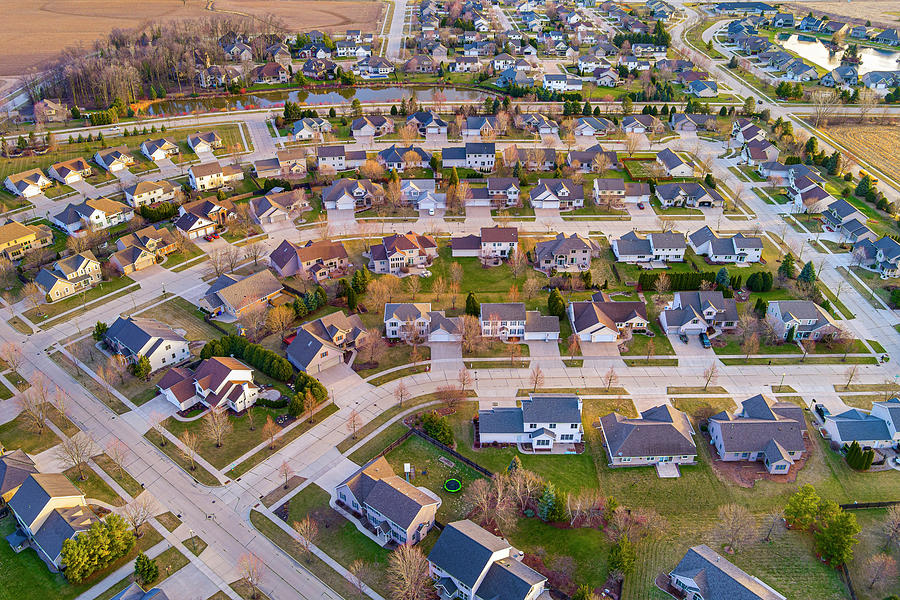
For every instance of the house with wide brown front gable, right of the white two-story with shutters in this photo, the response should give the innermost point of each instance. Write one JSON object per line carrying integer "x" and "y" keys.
{"x": 603, "y": 320}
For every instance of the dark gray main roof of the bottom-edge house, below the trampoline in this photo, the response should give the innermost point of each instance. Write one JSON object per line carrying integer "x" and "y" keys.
{"x": 464, "y": 549}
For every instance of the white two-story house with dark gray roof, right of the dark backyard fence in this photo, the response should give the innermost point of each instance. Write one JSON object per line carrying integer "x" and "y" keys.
{"x": 541, "y": 421}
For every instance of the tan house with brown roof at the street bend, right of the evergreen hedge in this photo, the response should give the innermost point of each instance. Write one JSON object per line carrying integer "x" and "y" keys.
{"x": 321, "y": 344}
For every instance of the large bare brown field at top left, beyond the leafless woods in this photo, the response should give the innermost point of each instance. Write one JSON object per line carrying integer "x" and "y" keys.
{"x": 43, "y": 29}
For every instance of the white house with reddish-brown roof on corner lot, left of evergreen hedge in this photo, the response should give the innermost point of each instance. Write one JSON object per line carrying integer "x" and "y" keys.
{"x": 218, "y": 382}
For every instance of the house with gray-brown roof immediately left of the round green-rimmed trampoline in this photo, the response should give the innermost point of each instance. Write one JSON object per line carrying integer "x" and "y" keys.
{"x": 396, "y": 511}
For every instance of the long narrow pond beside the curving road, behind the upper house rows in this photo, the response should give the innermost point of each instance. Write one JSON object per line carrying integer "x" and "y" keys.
{"x": 333, "y": 96}
